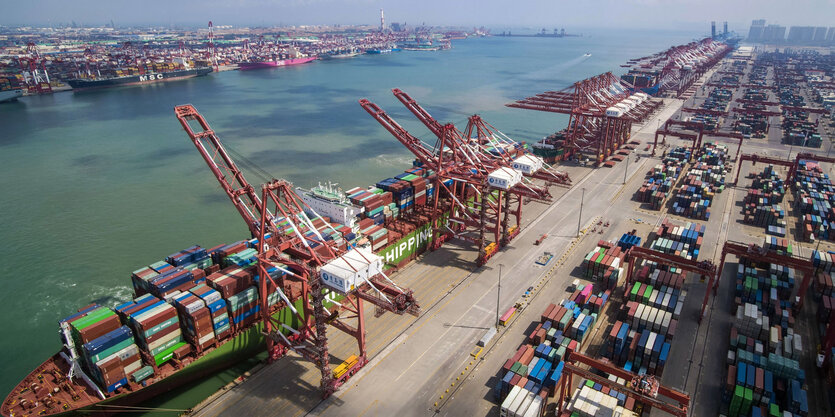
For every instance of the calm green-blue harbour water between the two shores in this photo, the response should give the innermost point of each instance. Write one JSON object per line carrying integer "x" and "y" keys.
{"x": 98, "y": 184}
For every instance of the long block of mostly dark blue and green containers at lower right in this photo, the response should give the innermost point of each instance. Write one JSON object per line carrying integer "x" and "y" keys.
{"x": 763, "y": 375}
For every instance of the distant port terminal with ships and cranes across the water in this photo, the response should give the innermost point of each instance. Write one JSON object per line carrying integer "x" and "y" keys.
{"x": 83, "y": 60}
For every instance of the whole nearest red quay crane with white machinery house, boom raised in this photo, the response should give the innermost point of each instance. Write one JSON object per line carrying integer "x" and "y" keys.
{"x": 289, "y": 242}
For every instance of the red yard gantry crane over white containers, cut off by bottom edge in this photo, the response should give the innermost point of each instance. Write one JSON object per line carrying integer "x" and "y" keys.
{"x": 576, "y": 362}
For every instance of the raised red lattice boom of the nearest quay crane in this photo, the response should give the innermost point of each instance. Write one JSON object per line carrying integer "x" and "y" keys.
{"x": 228, "y": 174}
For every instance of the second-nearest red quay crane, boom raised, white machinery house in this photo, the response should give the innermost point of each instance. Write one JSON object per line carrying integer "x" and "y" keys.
{"x": 482, "y": 191}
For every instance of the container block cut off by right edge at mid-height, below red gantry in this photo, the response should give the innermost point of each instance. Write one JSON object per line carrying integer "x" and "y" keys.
{"x": 815, "y": 195}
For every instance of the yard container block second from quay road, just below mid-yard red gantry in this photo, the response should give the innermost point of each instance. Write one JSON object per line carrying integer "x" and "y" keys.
{"x": 703, "y": 180}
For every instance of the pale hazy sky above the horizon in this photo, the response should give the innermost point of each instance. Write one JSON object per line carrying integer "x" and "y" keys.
{"x": 665, "y": 14}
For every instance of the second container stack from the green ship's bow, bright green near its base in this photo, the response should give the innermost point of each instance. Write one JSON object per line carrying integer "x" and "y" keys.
{"x": 156, "y": 326}
